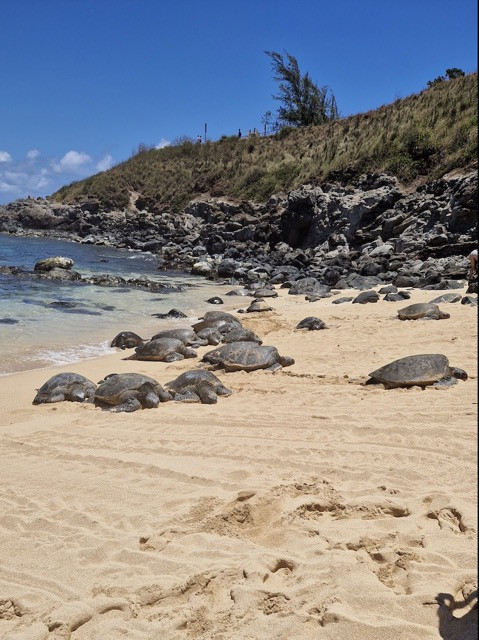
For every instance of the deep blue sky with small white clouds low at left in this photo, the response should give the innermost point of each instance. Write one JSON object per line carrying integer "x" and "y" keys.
{"x": 84, "y": 82}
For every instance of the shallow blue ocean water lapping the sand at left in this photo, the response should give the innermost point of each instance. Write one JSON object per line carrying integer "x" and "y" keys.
{"x": 48, "y": 322}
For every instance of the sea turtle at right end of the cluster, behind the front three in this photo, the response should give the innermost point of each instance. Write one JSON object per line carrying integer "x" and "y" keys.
{"x": 247, "y": 356}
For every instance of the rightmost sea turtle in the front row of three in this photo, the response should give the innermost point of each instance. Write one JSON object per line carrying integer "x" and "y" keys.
{"x": 197, "y": 386}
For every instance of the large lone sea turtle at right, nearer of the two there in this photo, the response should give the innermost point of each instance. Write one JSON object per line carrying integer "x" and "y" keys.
{"x": 420, "y": 370}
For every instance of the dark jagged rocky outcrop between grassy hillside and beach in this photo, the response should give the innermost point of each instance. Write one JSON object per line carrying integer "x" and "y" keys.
{"x": 370, "y": 232}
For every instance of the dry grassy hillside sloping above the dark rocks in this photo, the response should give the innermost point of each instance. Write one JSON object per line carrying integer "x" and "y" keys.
{"x": 425, "y": 135}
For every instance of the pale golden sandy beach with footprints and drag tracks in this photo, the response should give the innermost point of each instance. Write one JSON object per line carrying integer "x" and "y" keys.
{"x": 304, "y": 506}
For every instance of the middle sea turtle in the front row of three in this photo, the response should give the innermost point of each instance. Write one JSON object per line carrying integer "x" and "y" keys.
{"x": 129, "y": 392}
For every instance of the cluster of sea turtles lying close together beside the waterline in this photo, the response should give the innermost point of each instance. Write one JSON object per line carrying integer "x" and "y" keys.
{"x": 242, "y": 349}
